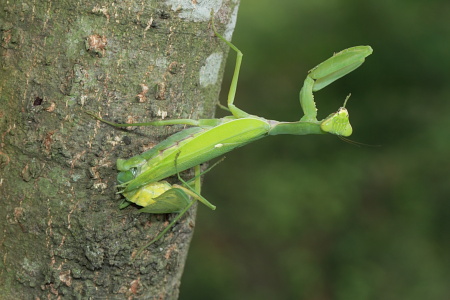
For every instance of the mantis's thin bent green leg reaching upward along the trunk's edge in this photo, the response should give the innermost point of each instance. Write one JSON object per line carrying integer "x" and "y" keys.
{"x": 238, "y": 113}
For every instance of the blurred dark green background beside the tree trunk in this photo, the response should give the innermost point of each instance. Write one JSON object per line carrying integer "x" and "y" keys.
{"x": 313, "y": 217}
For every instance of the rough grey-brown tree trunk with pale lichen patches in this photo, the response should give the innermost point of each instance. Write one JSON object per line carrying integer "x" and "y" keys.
{"x": 62, "y": 234}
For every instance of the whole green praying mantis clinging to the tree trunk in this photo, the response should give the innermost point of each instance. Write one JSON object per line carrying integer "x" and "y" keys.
{"x": 140, "y": 177}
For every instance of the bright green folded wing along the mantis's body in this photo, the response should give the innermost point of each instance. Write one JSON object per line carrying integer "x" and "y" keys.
{"x": 192, "y": 149}
